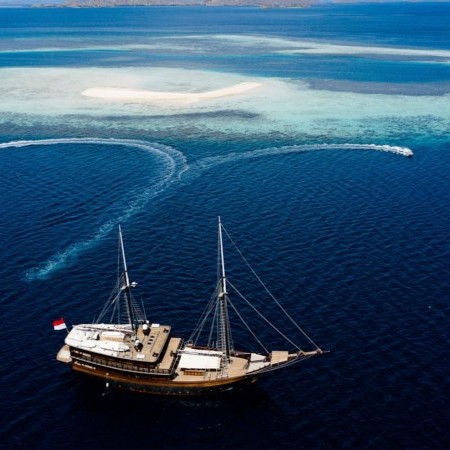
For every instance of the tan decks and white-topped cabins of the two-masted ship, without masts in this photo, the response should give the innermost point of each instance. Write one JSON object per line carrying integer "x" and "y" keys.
{"x": 155, "y": 352}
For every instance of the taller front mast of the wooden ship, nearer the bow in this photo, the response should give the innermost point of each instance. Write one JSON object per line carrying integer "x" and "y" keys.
{"x": 224, "y": 334}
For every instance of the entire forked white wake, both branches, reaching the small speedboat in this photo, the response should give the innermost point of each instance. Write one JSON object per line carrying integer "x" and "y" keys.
{"x": 176, "y": 165}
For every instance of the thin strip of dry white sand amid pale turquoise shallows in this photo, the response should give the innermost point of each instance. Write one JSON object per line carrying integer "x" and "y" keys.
{"x": 146, "y": 96}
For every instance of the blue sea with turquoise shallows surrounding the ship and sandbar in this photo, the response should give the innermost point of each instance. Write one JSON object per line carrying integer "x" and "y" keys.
{"x": 308, "y": 176}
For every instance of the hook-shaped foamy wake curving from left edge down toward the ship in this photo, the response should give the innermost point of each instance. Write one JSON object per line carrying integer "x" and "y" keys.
{"x": 175, "y": 165}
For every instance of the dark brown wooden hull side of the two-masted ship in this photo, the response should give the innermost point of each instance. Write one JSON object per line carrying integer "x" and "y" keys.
{"x": 164, "y": 385}
